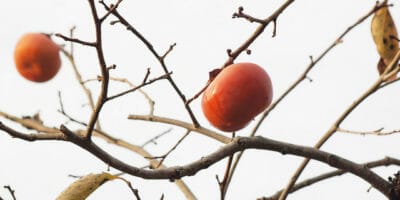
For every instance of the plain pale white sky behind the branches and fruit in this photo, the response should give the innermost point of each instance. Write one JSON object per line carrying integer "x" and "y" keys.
{"x": 203, "y": 30}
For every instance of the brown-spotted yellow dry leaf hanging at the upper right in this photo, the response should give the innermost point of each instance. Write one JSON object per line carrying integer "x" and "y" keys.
{"x": 385, "y": 36}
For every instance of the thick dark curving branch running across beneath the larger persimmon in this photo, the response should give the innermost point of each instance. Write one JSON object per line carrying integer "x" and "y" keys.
{"x": 238, "y": 144}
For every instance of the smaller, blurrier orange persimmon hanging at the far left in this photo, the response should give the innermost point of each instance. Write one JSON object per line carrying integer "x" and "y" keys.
{"x": 37, "y": 57}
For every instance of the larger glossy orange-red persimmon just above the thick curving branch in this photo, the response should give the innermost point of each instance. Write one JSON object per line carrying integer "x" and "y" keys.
{"x": 237, "y": 94}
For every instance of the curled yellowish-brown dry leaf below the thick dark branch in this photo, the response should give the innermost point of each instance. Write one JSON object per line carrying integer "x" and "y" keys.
{"x": 82, "y": 188}
